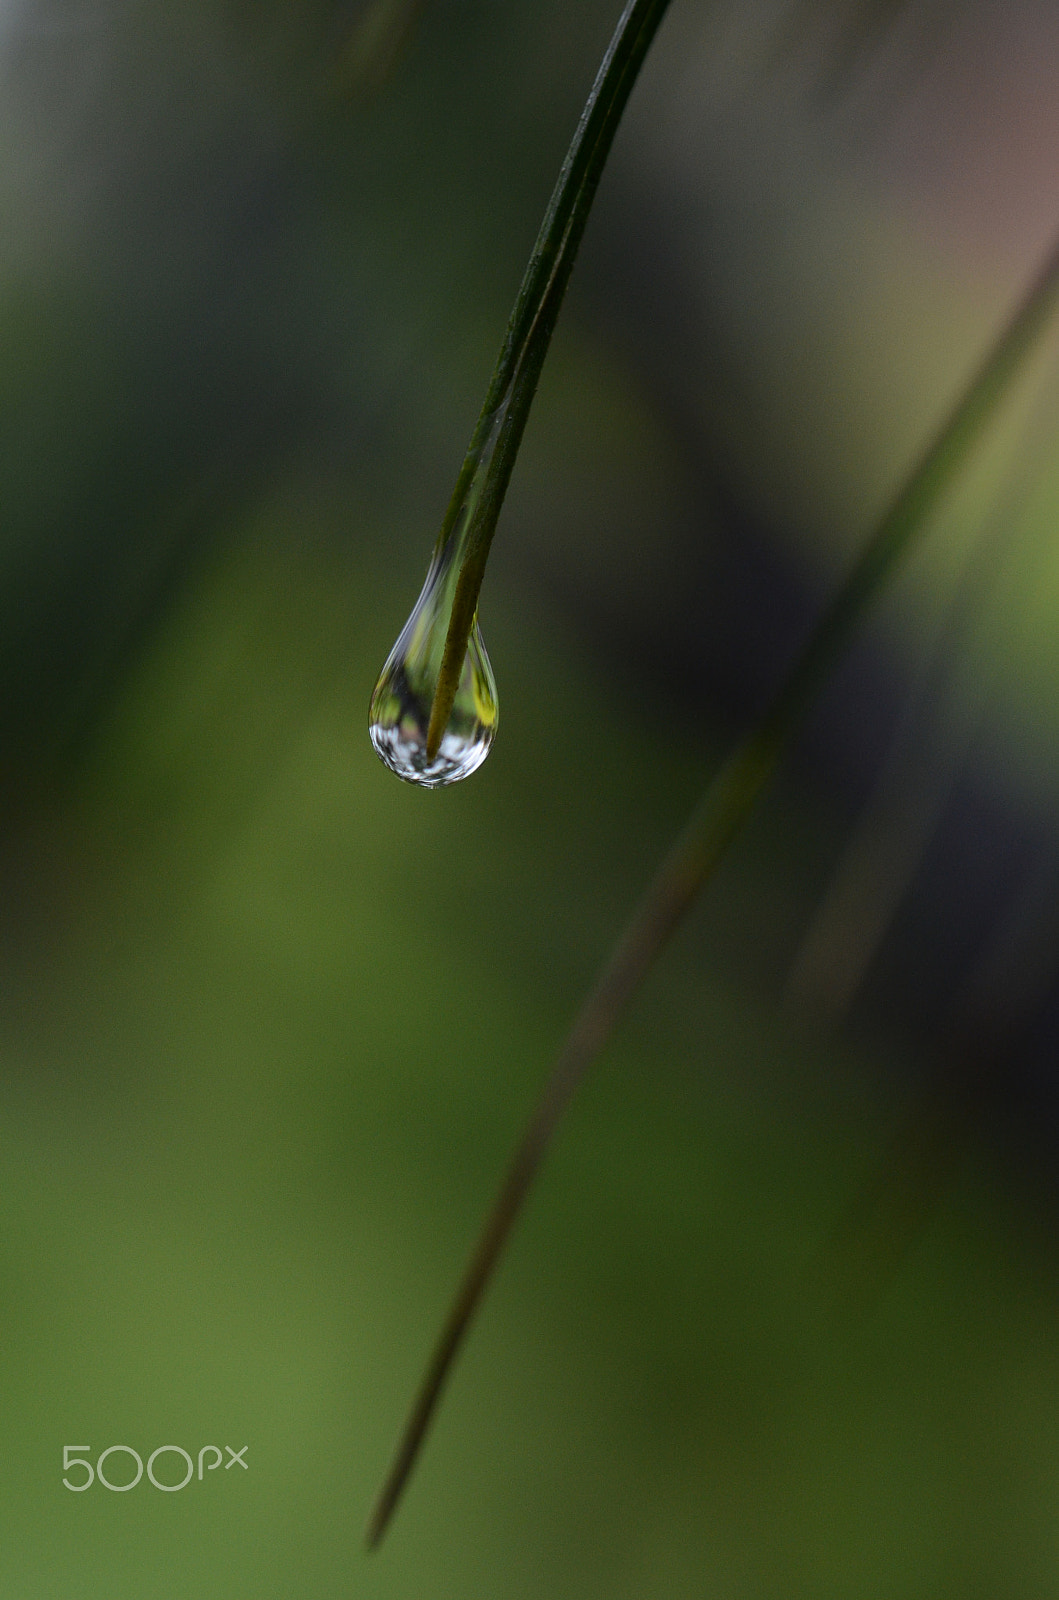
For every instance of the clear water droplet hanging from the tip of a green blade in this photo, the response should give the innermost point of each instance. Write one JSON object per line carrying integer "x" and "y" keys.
{"x": 402, "y": 700}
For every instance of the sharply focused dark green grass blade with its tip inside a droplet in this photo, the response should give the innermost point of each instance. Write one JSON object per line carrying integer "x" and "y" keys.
{"x": 487, "y": 468}
